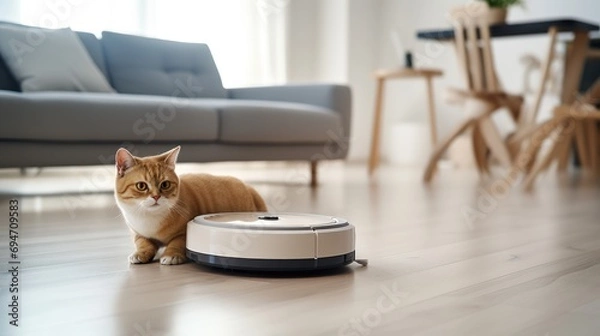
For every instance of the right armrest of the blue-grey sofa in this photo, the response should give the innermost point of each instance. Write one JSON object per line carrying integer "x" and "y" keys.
{"x": 335, "y": 97}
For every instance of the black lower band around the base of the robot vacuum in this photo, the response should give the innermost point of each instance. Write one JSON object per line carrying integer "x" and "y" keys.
{"x": 277, "y": 265}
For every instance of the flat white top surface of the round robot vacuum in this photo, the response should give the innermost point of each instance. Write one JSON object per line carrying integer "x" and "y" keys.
{"x": 267, "y": 221}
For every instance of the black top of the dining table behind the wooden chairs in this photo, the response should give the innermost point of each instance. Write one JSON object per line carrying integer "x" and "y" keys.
{"x": 517, "y": 29}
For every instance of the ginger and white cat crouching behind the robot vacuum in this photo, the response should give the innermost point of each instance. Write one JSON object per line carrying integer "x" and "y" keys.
{"x": 157, "y": 204}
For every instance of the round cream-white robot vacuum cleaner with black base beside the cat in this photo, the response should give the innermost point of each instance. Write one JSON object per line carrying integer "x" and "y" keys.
{"x": 256, "y": 241}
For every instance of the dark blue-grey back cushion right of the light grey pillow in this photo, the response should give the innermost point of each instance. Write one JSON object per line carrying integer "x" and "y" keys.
{"x": 142, "y": 65}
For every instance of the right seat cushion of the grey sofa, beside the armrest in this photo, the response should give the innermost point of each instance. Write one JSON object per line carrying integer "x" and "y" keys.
{"x": 266, "y": 122}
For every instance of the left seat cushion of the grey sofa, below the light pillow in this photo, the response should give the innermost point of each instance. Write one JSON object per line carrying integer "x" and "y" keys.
{"x": 102, "y": 117}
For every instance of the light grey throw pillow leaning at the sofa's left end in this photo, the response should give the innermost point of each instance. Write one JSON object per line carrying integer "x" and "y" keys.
{"x": 49, "y": 60}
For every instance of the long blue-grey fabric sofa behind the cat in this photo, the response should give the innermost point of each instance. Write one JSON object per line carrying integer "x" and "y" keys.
{"x": 168, "y": 93}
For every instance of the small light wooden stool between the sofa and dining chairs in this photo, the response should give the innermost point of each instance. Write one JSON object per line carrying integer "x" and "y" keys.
{"x": 382, "y": 76}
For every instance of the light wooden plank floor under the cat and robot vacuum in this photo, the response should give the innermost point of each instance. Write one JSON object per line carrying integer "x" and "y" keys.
{"x": 447, "y": 259}
